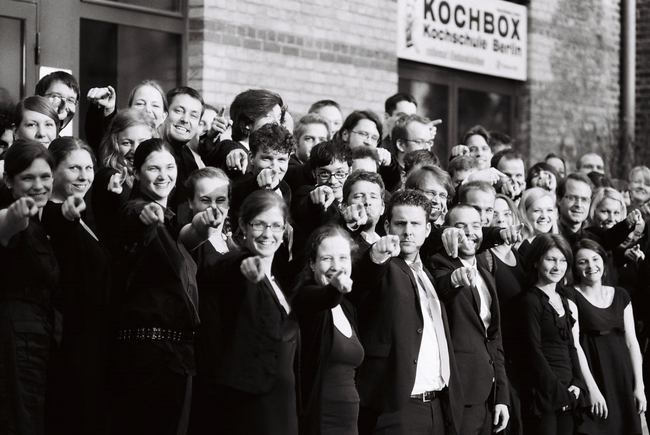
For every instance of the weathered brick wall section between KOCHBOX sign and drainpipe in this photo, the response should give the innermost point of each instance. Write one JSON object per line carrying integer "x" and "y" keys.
{"x": 572, "y": 98}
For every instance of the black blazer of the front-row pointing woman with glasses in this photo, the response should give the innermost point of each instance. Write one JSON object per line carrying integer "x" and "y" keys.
{"x": 252, "y": 321}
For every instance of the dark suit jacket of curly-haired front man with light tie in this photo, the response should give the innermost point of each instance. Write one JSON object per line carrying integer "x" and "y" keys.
{"x": 390, "y": 327}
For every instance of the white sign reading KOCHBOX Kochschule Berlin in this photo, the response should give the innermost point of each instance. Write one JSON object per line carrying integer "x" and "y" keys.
{"x": 483, "y": 36}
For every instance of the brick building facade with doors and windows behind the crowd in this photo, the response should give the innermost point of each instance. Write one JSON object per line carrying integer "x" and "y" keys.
{"x": 347, "y": 50}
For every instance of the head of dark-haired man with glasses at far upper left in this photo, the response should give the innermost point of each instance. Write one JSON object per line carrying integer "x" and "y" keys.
{"x": 62, "y": 89}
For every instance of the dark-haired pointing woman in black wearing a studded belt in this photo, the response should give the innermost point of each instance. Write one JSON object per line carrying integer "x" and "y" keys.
{"x": 156, "y": 300}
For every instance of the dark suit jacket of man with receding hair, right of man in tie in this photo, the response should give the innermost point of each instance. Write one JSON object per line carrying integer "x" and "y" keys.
{"x": 479, "y": 353}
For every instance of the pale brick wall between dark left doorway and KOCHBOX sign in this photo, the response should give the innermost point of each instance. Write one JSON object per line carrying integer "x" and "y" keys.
{"x": 305, "y": 50}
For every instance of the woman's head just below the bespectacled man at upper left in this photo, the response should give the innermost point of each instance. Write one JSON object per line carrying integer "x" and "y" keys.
{"x": 35, "y": 119}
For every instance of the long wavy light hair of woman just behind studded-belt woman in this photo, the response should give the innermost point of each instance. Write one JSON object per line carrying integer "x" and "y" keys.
{"x": 109, "y": 150}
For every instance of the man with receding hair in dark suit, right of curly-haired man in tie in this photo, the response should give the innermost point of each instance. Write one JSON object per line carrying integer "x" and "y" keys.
{"x": 468, "y": 289}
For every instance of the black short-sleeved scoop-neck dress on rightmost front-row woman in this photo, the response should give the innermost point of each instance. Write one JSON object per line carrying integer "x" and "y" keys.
{"x": 602, "y": 337}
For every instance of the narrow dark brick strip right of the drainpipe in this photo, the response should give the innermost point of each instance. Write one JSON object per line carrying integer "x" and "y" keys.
{"x": 642, "y": 139}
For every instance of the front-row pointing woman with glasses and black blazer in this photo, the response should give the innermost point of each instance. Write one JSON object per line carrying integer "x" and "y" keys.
{"x": 254, "y": 371}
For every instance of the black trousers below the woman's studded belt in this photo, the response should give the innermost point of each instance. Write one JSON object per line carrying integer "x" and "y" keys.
{"x": 148, "y": 397}
